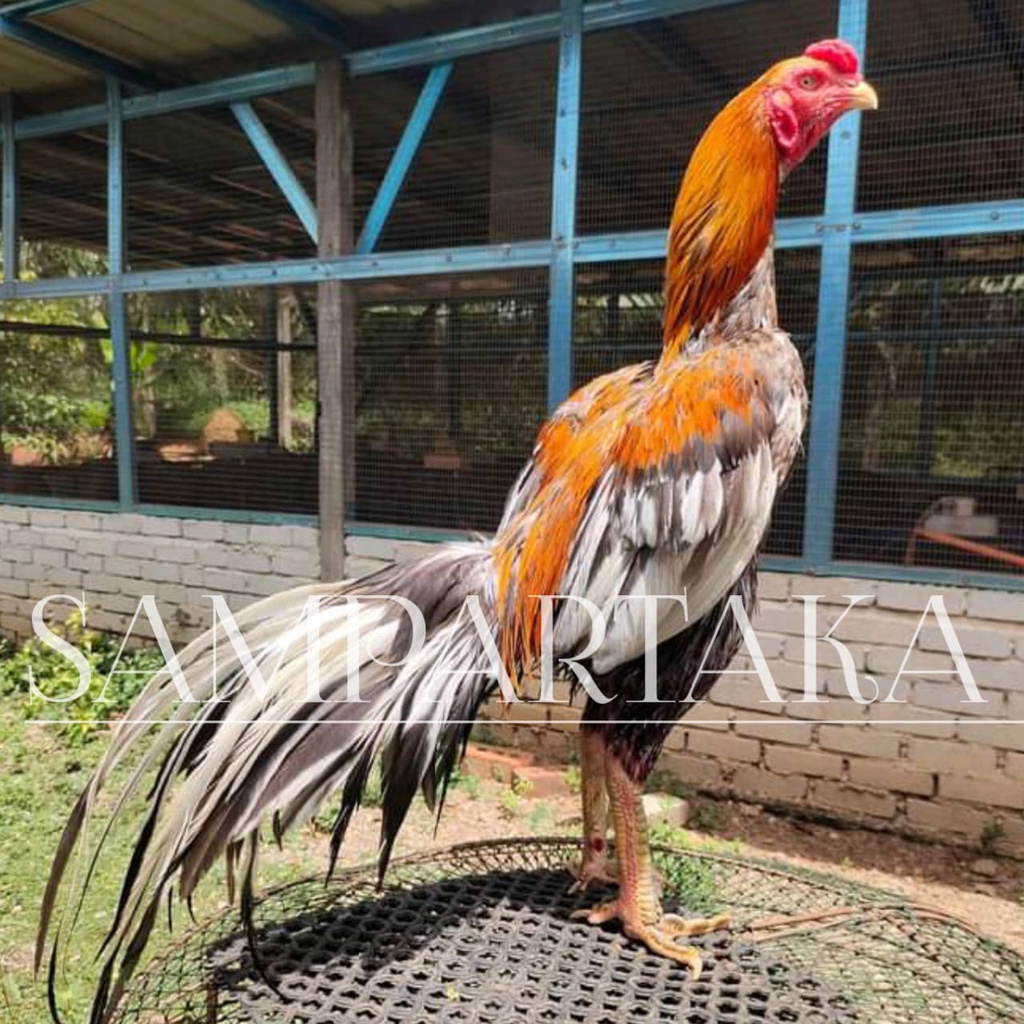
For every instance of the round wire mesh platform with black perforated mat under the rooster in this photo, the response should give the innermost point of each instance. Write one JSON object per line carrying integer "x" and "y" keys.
{"x": 482, "y": 933}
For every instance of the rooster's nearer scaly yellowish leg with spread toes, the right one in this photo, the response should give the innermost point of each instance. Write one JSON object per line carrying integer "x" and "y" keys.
{"x": 638, "y": 907}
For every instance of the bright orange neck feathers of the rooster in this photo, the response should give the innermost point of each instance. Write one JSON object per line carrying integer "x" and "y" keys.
{"x": 723, "y": 219}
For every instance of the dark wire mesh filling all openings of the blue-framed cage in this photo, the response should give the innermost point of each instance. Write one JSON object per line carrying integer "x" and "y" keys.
{"x": 451, "y": 376}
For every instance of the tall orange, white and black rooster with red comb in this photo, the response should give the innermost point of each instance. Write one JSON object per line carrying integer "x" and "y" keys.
{"x": 657, "y": 480}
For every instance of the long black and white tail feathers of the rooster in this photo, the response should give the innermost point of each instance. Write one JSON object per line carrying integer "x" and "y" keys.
{"x": 233, "y": 759}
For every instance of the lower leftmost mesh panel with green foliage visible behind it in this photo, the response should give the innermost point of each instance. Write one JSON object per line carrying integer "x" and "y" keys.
{"x": 57, "y": 409}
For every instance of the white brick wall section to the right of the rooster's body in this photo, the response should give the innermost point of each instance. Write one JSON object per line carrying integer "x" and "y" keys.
{"x": 905, "y": 767}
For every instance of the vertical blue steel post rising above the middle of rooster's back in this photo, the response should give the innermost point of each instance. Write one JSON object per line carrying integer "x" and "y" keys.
{"x": 564, "y": 202}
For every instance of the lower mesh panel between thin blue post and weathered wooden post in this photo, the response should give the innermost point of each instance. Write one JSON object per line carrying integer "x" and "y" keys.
{"x": 225, "y": 400}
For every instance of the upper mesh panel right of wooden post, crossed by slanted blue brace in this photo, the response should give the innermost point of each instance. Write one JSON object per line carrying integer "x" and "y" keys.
{"x": 484, "y": 170}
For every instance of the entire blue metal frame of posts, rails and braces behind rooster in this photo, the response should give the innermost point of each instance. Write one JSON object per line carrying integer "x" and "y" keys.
{"x": 835, "y": 233}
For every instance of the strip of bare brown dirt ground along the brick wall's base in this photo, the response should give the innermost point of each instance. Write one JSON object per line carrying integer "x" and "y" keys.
{"x": 986, "y": 892}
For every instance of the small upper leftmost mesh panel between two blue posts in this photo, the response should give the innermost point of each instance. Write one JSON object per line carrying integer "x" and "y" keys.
{"x": 63, "y": 205}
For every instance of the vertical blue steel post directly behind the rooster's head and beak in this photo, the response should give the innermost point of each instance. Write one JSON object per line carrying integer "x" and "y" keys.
{"x": 830, "y": 350}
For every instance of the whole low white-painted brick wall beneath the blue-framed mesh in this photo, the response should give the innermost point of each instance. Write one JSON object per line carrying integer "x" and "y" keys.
{"x": 897, "y": 766}
